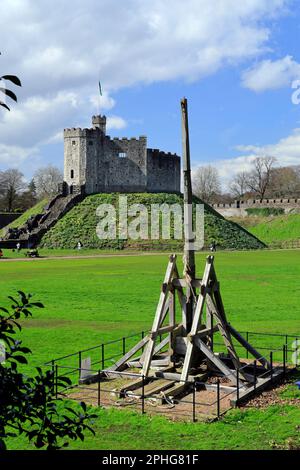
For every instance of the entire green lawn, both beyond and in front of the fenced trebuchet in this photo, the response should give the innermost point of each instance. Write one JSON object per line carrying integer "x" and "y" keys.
{"x": 89, "y": 301}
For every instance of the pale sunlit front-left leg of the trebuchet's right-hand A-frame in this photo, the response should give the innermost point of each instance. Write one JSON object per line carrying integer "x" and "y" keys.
{"x": 196, "y": 319}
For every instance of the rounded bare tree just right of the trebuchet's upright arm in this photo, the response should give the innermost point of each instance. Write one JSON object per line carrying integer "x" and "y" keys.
{"x": 206, "y": 183}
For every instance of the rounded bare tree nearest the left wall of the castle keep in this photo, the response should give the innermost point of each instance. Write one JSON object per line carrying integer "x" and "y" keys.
{"x": 47, "y": 180}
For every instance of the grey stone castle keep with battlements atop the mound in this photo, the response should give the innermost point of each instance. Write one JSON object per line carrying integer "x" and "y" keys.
{"x": 94, "y": 163}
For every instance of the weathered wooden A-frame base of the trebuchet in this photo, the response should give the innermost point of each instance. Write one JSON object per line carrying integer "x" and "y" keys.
{"x": 189, "y": 350}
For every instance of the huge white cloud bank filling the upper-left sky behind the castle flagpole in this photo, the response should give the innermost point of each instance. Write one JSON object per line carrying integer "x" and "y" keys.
{"x": 60, "y": 51}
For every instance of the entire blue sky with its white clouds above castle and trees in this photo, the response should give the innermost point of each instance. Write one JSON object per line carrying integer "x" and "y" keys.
{"x": 234, "y": 61}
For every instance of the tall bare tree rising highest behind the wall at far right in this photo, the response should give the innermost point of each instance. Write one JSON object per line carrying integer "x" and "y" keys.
{"x": 259, "y": 178}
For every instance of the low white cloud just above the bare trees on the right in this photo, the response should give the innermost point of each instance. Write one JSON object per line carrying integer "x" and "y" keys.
{"x": 286, "y": 151}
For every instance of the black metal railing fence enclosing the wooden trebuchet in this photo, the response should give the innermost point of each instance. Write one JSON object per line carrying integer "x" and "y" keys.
{"x": 203, "y": 399}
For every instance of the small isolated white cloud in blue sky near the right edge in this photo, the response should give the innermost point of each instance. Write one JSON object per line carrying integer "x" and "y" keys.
{"x": 270, "y": 75}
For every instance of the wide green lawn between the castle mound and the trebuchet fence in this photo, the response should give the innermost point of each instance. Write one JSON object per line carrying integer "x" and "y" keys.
{"x": 89, "y": 301}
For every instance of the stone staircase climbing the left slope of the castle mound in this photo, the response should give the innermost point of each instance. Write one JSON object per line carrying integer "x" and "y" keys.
{"x": 31, "y": 233}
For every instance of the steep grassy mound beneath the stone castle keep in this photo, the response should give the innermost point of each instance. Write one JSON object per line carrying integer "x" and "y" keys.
{"x": 81, "y": 221}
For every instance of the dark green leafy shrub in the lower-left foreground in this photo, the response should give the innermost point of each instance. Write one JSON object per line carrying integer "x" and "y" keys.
{"x": 27, "y": 403}
